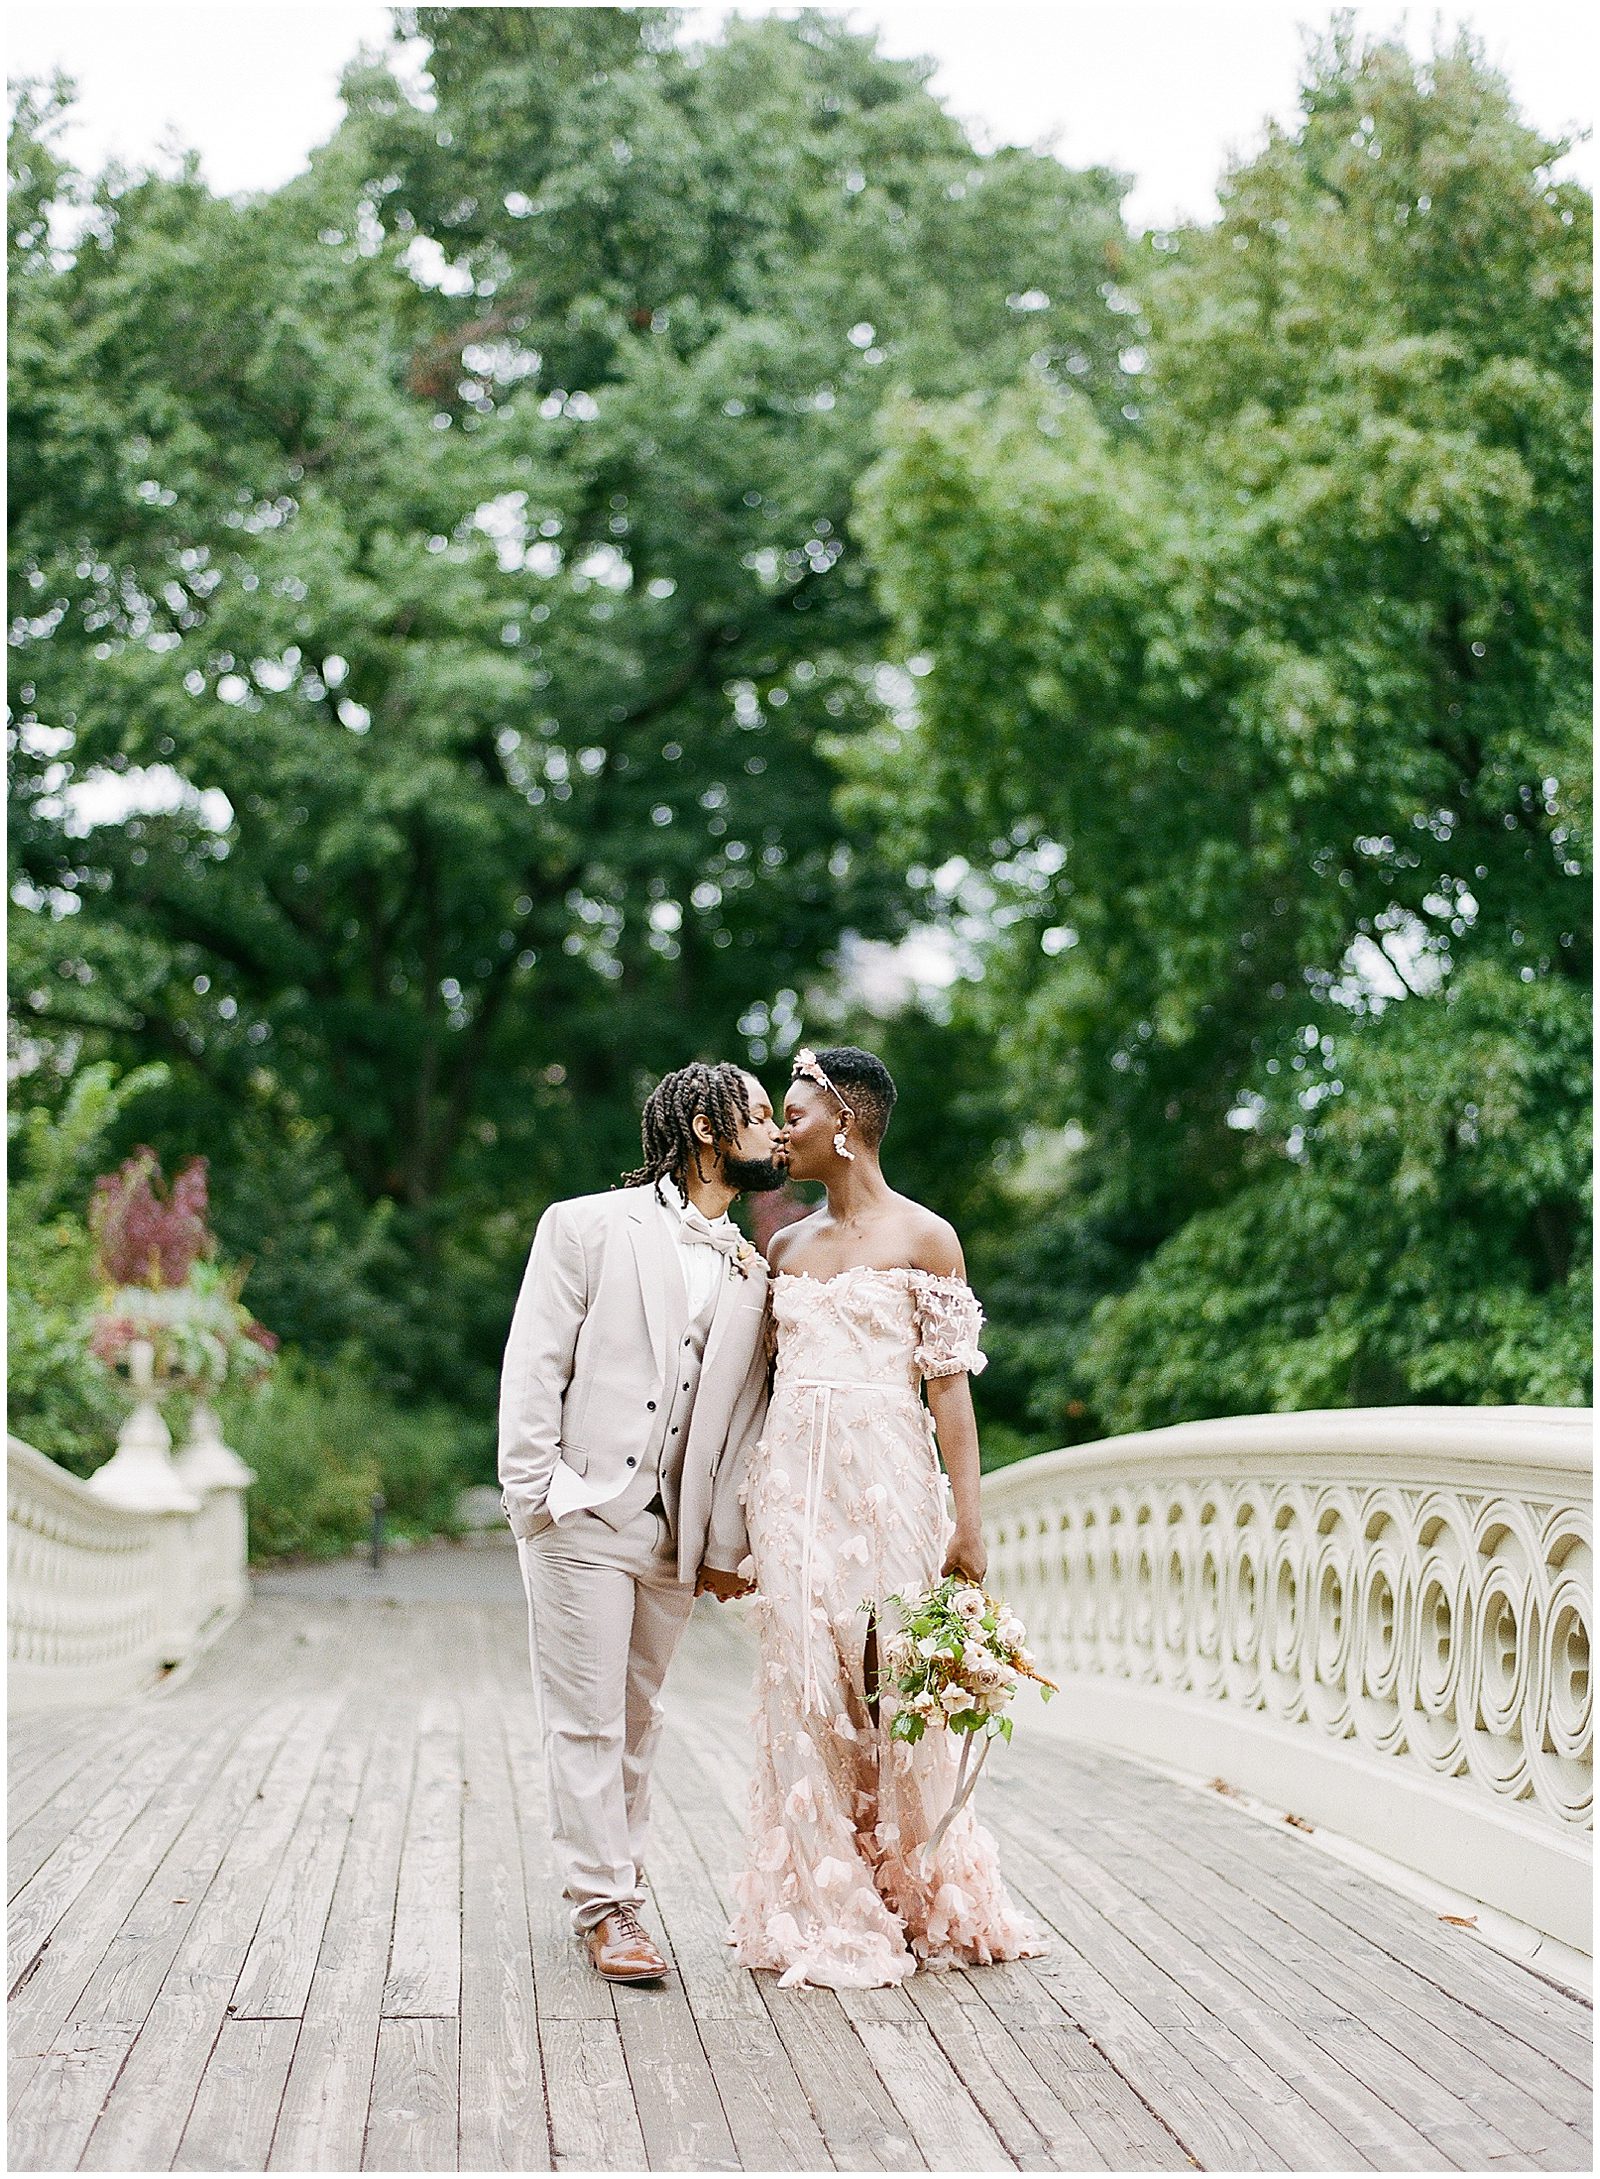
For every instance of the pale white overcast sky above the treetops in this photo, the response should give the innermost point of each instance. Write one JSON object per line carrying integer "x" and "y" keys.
{"x": 1163, "y": 93}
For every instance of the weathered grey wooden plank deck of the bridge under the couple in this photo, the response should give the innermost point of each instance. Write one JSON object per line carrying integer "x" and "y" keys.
{"x": 298, "y": 1914}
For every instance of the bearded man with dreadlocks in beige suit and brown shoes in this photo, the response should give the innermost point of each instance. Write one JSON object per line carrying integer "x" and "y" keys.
{"x": 635, "y": 1380}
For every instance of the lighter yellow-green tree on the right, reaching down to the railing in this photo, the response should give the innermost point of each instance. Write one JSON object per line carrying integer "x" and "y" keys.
{"x": 1259, "y": 733}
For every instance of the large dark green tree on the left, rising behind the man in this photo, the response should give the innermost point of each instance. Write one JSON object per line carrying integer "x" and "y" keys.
{"x": 441, "y": 565}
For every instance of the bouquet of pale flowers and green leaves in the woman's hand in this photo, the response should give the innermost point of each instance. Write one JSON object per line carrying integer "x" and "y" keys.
{"x": 956, "y": 1664}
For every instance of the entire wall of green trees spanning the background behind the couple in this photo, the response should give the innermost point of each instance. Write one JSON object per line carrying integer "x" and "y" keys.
{"x": 507, "y": 611}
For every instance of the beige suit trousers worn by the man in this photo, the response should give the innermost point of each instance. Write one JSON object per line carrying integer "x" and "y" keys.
{"x": 605, "y": 1616}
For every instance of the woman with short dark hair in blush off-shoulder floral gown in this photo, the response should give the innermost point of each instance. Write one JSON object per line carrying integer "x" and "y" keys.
{"x": 847, "y": 1509}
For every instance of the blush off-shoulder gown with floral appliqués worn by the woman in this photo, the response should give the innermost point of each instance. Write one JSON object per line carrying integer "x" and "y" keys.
{"x": 847, "y": 1505}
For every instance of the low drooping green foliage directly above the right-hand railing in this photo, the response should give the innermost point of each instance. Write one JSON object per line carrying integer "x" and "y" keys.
{"x": 1429, "y": 1247}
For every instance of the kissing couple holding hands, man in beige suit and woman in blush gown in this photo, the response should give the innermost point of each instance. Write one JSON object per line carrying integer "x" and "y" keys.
{"x": 683, "y": 1417}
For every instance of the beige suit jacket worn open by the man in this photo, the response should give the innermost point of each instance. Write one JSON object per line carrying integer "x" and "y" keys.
{"x": 592, "y": 1354}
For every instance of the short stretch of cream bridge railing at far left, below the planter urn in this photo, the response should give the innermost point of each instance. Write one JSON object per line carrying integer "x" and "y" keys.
{"x": 106, "y": 1587}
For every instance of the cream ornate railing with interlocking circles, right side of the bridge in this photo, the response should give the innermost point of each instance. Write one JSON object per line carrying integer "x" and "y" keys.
{"x": 1374, "y": 1618}
